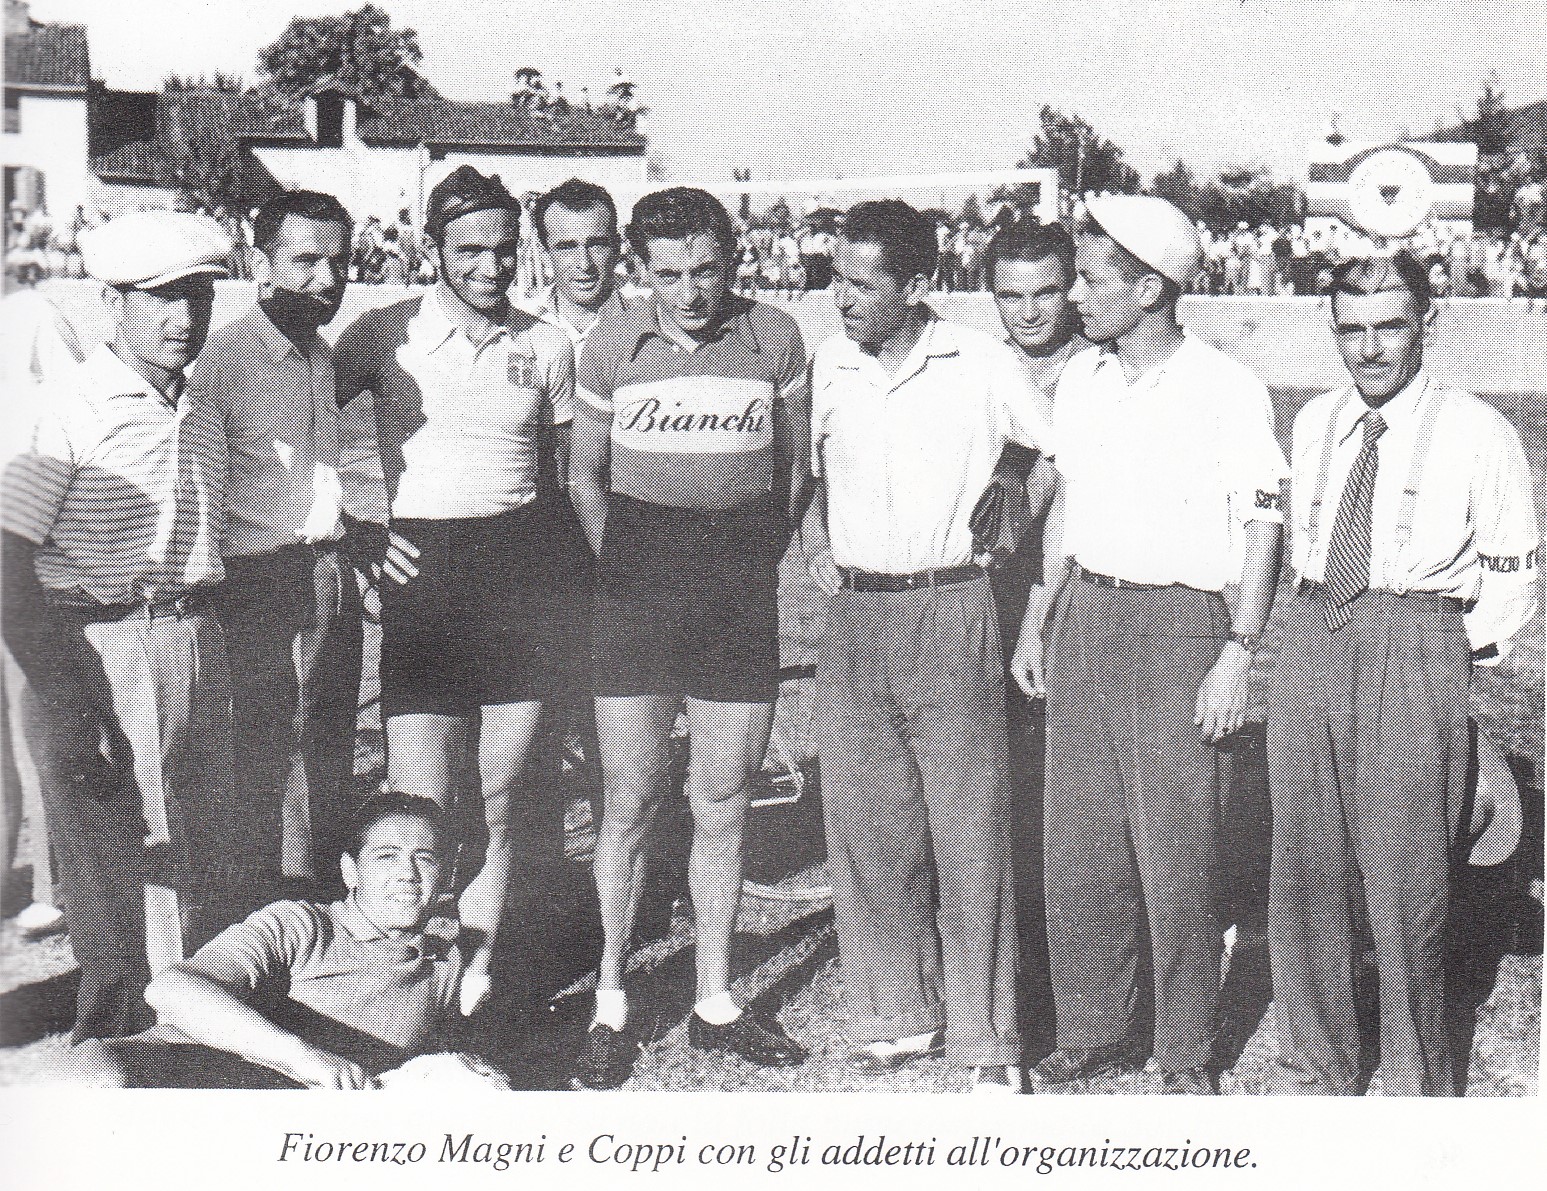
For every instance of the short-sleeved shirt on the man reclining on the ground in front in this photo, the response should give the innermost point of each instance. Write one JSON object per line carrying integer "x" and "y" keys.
{"x": 332, "y": 977}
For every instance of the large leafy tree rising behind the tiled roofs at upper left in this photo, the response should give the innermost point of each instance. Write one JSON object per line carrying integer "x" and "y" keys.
{"x": 360, "y": 50}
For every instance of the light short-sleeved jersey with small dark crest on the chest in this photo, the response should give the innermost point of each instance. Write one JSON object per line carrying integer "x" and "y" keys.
{"x": 459, "y": 425}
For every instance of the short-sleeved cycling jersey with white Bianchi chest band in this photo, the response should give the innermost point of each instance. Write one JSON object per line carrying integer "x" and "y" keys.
{"x": 692, "y": 429}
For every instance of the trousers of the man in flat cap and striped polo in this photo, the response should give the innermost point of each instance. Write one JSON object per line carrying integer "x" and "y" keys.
{"x": 132, "y": 723}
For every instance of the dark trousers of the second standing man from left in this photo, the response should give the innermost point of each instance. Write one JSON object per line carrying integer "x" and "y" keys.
{"x": 295, "y": 632}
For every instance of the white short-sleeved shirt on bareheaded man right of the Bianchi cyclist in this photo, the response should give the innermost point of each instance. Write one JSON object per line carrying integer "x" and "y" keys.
{"x": 907, "y": 457}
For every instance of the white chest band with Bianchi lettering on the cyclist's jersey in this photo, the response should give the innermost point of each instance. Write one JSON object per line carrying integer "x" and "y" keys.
{"x": 695, "y": 415}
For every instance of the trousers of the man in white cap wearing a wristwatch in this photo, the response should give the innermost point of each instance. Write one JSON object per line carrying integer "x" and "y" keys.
{"x": 1133, "y": 804}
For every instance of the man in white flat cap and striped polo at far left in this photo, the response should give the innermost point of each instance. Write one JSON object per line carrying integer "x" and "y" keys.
{"x": 112, "y": 555}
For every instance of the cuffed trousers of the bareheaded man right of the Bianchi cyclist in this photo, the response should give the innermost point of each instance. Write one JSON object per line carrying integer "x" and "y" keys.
{"x": 912, "y": 742}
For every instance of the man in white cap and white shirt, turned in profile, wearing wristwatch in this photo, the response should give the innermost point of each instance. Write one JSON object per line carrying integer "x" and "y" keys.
{"x": 1172, "y": 494}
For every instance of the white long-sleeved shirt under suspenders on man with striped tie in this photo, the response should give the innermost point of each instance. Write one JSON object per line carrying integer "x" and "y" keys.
{"x": 1475, "y": 533}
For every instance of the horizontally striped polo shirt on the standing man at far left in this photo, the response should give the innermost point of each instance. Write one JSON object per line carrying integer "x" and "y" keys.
{"x": 121, "y": 491}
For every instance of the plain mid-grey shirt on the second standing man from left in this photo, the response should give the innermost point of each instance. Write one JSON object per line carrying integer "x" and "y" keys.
{"x": 281, "y": 414}
